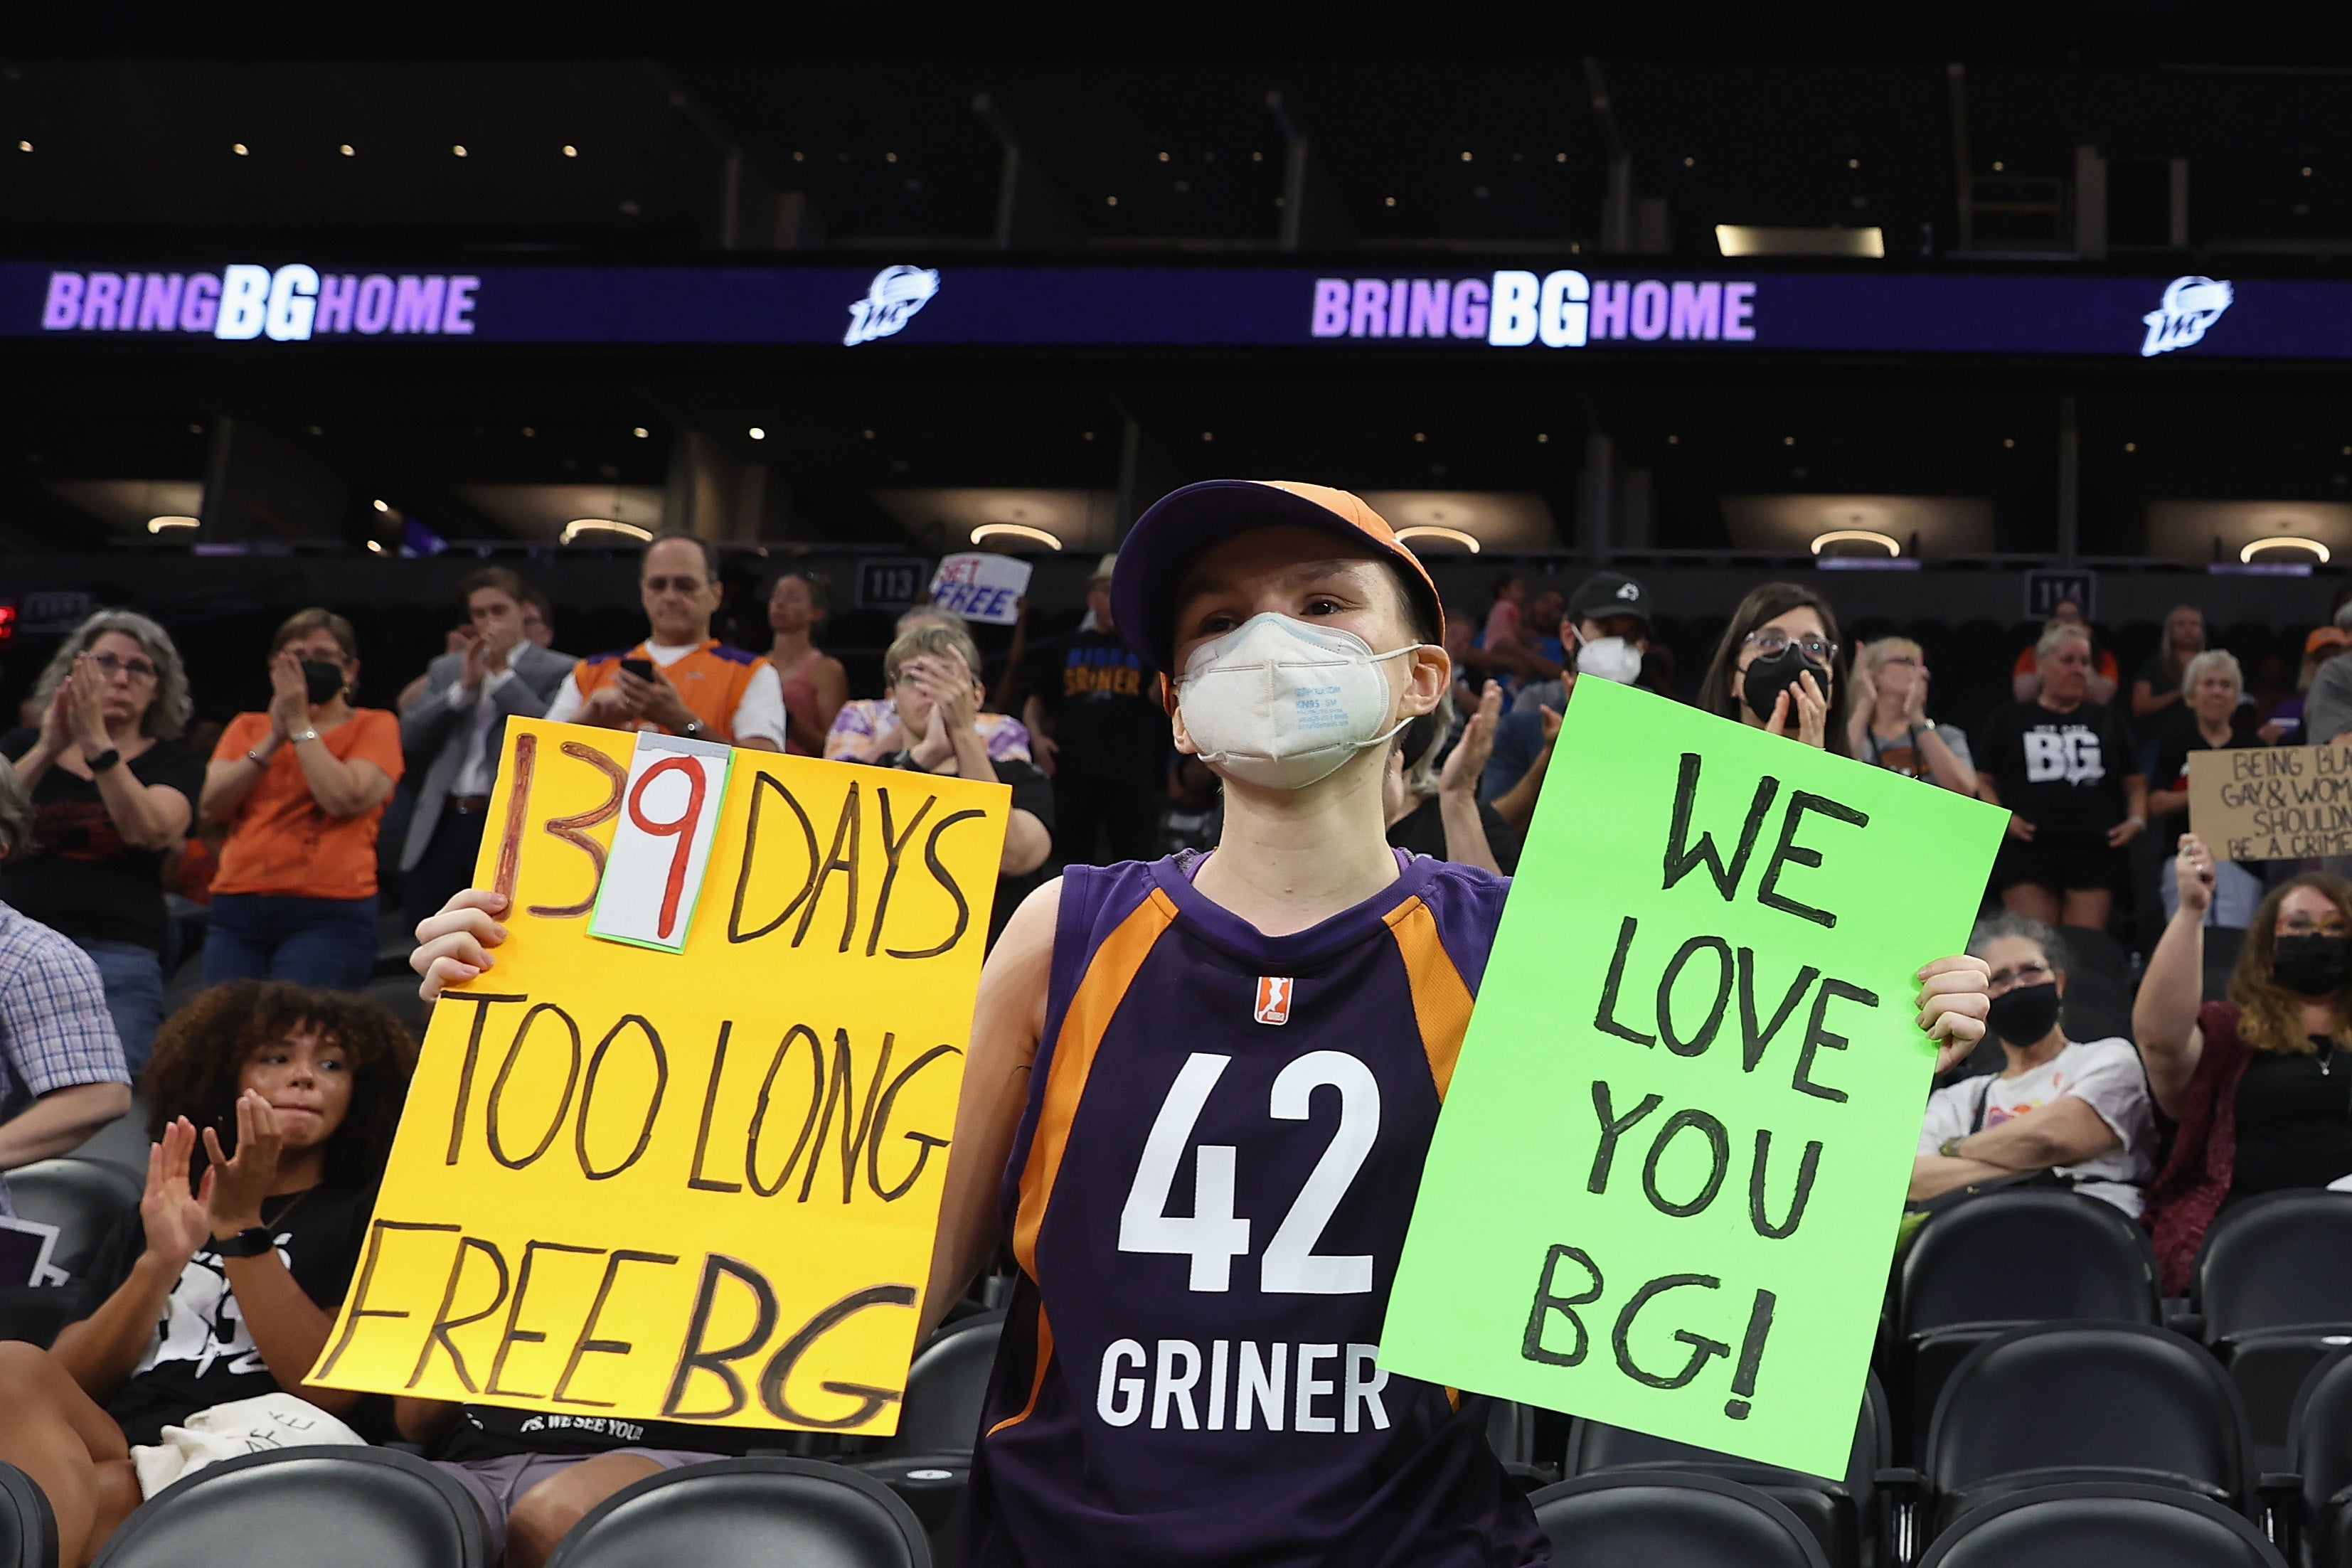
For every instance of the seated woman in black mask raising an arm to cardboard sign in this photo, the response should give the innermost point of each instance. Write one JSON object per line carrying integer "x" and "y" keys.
{"x": 2261, "y": 1085}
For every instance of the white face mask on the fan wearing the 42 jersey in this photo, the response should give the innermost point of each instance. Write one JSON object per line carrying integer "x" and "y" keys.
{"x": 1283, "y": 704}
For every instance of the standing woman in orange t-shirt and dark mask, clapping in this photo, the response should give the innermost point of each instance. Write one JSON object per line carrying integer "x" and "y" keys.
{"x": 302, "y": 789}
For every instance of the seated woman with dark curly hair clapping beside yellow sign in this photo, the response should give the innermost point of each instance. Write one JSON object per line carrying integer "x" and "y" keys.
{"x": 274, "y": 1111}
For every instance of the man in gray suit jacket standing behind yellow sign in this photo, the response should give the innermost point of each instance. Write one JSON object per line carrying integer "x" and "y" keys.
{"x": 455, "y": 732}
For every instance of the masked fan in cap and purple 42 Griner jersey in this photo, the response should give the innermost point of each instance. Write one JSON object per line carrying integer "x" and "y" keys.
{"x": 1201, "y": 1094}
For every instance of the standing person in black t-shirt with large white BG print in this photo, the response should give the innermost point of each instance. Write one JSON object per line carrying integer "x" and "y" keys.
{"x": 2071, "y": 777}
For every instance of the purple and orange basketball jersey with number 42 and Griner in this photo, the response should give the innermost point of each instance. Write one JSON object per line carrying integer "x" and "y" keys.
{"x": 1208, "y": 1198}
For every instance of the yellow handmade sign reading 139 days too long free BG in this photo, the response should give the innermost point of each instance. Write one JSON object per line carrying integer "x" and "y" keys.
{"x": 686, "y": 1186}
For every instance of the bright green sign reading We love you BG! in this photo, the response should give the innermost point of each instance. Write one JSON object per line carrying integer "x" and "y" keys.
{"x": 1671, "y": 1165}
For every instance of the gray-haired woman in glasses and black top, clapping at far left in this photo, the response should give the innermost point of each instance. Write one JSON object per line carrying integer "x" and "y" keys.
{"x": 114, "y": 791}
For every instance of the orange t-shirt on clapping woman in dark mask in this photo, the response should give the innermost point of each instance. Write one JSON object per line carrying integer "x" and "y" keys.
{"x": 279, "y": 840}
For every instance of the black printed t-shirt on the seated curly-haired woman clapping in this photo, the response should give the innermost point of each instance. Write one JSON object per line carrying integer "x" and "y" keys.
{"x": 201, "y": 1353}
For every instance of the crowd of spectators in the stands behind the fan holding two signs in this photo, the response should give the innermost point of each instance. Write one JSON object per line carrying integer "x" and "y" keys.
{"x": 279, "y": 1085}
